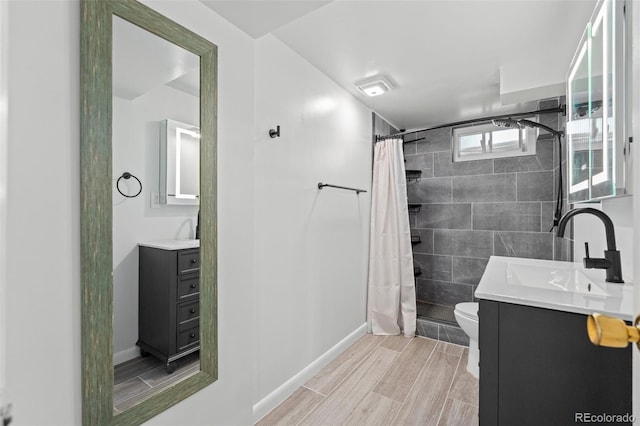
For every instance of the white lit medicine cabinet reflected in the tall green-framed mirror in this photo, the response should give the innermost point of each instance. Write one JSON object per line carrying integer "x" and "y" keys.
{"x": 179, "y": 163}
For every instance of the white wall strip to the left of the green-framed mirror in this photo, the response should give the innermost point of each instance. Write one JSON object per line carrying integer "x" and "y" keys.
{"x": 43, "y": 270}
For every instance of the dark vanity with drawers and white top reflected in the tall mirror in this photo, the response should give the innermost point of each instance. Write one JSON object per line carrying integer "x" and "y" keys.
{"x": 168, "y": 304}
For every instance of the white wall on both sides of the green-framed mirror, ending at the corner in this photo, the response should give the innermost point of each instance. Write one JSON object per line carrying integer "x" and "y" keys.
{"x": 43, "y": 267}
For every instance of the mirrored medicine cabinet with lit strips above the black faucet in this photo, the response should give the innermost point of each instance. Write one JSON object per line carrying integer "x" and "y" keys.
{"x": 596, "y": 143}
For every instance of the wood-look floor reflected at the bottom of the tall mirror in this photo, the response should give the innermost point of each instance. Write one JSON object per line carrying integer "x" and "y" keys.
{"x": 139, "y": 378}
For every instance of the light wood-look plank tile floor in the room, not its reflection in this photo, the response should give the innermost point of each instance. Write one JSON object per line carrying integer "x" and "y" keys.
{"x": 386, "y": 380}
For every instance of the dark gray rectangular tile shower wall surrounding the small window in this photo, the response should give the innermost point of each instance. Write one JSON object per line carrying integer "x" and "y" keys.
{"x": 472, "y": 210}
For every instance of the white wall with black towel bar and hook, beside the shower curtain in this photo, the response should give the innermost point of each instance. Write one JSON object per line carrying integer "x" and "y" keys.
{"x": 310, "y": 246}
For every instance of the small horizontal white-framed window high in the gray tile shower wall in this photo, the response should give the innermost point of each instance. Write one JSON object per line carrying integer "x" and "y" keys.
{"x": 482, "y": 141}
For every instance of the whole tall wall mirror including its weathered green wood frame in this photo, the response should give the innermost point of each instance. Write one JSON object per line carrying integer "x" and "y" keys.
{"x": 149, "y": 290}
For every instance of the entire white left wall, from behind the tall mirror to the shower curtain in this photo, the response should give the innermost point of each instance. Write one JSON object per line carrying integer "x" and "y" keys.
{"x": 307, "y": 293}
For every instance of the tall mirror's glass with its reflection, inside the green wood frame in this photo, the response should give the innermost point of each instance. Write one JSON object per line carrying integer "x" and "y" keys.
{"x": 155, "y": 251}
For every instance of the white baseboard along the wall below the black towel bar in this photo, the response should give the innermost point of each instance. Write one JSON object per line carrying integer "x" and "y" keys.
{"x": 275, "y": 398}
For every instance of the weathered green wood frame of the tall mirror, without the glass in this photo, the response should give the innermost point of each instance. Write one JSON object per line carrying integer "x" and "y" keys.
{"x": 97, "y": 181}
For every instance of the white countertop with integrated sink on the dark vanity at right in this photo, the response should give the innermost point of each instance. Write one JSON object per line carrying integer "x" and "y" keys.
{"x": 561, "y": 286}
